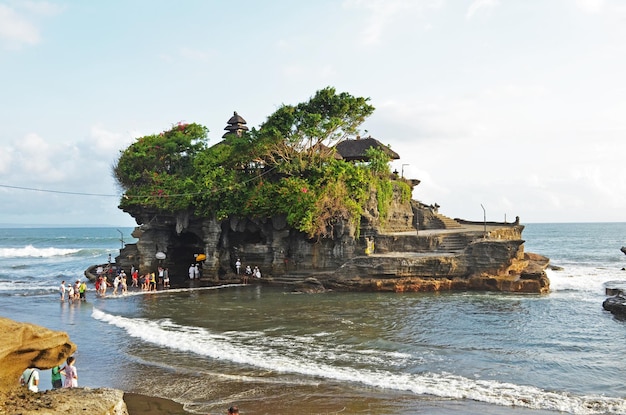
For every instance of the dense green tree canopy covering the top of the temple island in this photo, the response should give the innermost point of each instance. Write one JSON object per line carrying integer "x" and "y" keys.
{"x": 287, "y": 166}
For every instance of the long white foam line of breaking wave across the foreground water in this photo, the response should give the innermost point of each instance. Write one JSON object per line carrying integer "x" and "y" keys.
{"x": 291, "y": 354}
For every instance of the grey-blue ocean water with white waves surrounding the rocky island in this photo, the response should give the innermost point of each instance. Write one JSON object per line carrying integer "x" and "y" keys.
{"x": 271, "y": 351}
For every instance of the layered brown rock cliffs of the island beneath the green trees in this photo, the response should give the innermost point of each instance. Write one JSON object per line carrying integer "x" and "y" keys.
{"x": 413, "y": 249}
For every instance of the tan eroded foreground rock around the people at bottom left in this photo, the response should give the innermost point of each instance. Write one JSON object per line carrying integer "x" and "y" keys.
{"x": 27, "y": 345}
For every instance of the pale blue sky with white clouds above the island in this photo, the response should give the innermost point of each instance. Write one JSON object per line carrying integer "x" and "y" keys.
{"x": 501, "y": 108}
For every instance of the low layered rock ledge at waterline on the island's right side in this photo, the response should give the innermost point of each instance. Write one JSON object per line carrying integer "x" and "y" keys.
{"x": 482, "y": 266}
